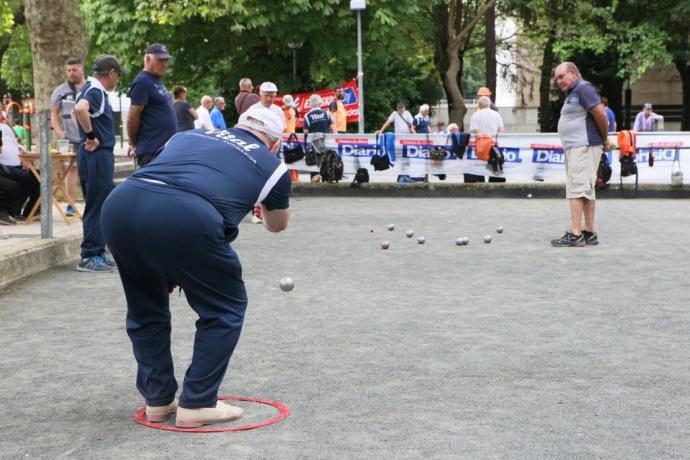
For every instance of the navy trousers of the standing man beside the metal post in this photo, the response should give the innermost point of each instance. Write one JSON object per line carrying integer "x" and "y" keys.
{"x": 96, "y": 172}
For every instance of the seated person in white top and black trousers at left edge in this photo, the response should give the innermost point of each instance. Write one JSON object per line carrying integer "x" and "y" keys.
{"x": 16, "y": 171}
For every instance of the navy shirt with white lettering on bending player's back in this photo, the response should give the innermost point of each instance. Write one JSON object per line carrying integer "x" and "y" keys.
{"x": 232, "y": 169}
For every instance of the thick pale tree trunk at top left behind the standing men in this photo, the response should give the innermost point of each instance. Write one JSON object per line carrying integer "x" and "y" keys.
{"x": 56, "y": 28}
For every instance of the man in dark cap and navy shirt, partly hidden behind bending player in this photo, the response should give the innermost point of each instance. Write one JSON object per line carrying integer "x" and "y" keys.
{"x": 152, "y": 120}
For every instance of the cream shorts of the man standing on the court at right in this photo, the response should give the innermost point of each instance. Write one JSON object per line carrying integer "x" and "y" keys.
{"x": 581, "y": 165}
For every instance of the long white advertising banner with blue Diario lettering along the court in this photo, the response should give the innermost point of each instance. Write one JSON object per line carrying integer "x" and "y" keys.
{"x": 528, "y": 157}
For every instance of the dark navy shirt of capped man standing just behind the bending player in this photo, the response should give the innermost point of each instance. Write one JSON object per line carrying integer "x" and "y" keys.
{"x": 158, "y": 120}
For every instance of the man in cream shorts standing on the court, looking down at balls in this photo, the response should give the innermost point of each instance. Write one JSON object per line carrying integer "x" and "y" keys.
{"x": 583, "y": 129}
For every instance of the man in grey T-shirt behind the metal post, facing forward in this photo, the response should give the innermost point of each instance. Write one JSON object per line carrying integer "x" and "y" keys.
{"x": 61, "y": 108}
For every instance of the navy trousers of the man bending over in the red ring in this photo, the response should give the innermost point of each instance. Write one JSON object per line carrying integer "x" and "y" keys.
{"x": 159, "y": 236}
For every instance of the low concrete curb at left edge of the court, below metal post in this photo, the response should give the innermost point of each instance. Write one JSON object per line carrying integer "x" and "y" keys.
{"x": 36, "y": 255}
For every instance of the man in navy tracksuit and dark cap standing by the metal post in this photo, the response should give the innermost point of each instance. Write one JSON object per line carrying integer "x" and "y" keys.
{"x": 95, "y": 158}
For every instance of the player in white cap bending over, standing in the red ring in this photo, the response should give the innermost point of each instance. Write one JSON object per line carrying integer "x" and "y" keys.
{"x": 171, "y": 224}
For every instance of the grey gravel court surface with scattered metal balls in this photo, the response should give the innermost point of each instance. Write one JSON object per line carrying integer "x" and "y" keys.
{"x": 508, "y": 350}
